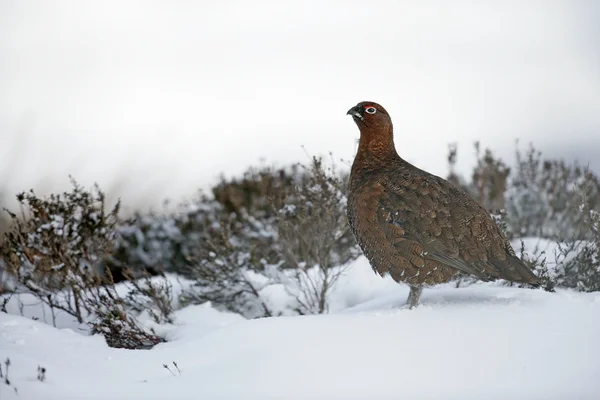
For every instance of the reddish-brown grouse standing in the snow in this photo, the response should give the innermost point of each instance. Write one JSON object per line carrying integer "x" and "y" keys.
{"x": 415, "y": 226}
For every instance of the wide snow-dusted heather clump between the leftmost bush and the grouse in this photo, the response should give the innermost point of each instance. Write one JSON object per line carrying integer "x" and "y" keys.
{"x": 271, "y": 226}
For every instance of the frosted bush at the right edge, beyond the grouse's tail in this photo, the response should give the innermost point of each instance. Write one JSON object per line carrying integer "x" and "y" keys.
{"x": 559, "y": 201}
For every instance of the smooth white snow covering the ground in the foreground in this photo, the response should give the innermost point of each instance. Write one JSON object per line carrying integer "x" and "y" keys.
{"x": 483, "y": 341}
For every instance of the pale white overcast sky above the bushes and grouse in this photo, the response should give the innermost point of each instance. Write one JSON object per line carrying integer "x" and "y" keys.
{"x": 155, "y": 99}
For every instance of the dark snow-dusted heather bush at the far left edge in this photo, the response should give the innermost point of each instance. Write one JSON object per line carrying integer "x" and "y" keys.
{"x": 57, "y": 252}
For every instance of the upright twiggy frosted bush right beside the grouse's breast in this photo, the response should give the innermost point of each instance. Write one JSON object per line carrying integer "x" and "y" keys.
{"x": 315, "y": 241}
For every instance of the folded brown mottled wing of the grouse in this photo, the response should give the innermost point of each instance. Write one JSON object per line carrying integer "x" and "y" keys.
{"x": 448, "y": 227}
